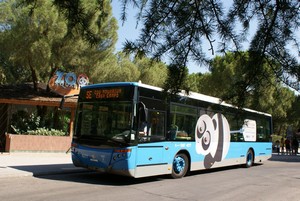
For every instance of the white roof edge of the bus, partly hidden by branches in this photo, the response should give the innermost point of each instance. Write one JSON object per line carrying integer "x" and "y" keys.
{"x": 193, "y": 95}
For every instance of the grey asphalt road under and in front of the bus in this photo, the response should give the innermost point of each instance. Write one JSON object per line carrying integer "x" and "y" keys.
{"x": 277, "y": 179}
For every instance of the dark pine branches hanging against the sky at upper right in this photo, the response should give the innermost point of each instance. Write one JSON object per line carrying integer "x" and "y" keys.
{"x": 179, "y": 29}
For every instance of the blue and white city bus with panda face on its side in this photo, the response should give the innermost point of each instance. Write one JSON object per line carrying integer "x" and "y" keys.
{"x": 137, "y": 130}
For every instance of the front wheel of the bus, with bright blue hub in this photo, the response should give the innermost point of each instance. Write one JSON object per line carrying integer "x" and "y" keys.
{"x": 180, "y": 166}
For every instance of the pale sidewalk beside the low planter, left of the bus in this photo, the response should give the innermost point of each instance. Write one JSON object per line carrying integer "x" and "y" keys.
{"x": 36, "y": 164}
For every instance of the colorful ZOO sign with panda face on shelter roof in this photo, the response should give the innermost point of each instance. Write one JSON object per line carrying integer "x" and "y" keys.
{"x": 67, "y": 83}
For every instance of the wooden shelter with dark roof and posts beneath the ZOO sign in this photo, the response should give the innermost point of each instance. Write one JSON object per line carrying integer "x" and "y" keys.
{"x": 25, "y": 95}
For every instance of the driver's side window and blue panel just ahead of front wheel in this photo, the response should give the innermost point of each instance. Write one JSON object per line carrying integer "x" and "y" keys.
{"x": 151, "y": 149}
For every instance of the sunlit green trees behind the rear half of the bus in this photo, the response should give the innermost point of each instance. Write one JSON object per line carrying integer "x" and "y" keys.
{"x": 226, "y": 78}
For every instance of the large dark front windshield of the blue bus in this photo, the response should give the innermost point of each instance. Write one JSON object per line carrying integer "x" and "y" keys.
{"x": 104, "y": 121}
